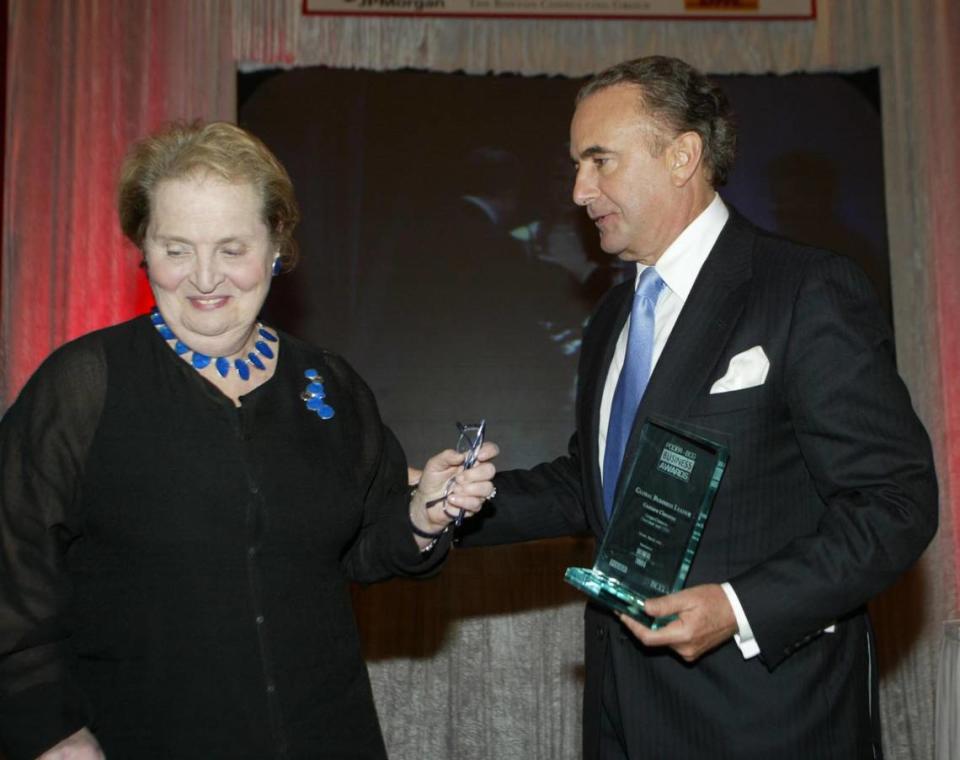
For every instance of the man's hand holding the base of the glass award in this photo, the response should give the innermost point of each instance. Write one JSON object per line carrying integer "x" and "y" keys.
{"x": 705, "y": 620}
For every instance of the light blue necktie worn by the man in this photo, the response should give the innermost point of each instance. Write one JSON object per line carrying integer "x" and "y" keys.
{"x": 633, "y": 380}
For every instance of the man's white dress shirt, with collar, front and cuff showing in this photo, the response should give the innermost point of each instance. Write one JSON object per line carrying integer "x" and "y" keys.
{"x": 678, "y": 267}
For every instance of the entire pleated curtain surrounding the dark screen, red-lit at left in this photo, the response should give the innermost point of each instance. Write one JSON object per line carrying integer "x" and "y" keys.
{"x": 87, "y": 77}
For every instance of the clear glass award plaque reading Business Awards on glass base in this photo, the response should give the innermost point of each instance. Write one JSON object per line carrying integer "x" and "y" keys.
{"x": 659, "y": 514}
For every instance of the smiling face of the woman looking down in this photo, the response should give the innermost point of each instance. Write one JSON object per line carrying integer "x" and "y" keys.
{"x": 209, "y": 257}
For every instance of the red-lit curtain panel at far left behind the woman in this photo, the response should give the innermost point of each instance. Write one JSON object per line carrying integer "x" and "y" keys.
{"x": 84, "y": 79}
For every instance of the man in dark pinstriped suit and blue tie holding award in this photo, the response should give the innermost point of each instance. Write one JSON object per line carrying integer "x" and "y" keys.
{"x": 780, "y": 351}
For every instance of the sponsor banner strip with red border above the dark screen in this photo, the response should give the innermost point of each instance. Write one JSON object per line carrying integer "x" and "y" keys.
{"x": 737, "y": 10}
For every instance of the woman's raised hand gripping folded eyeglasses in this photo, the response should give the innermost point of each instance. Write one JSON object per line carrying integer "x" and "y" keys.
{"x": 445, "y": 488}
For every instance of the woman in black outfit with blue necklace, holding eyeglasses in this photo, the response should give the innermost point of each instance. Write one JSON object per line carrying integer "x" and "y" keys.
{"x": 185, "y": 496}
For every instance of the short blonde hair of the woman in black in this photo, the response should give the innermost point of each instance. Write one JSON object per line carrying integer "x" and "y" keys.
{"x": 218, "y": 148}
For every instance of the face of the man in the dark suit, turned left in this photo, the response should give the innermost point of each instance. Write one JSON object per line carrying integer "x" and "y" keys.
{"x": 627, "y": 191}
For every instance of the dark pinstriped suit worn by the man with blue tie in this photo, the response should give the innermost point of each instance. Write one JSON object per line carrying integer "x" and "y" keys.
{"x": 829, "y": 495}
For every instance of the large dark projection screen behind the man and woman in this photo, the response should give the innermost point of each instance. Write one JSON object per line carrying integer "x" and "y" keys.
{"x": 442, "y": 254}
